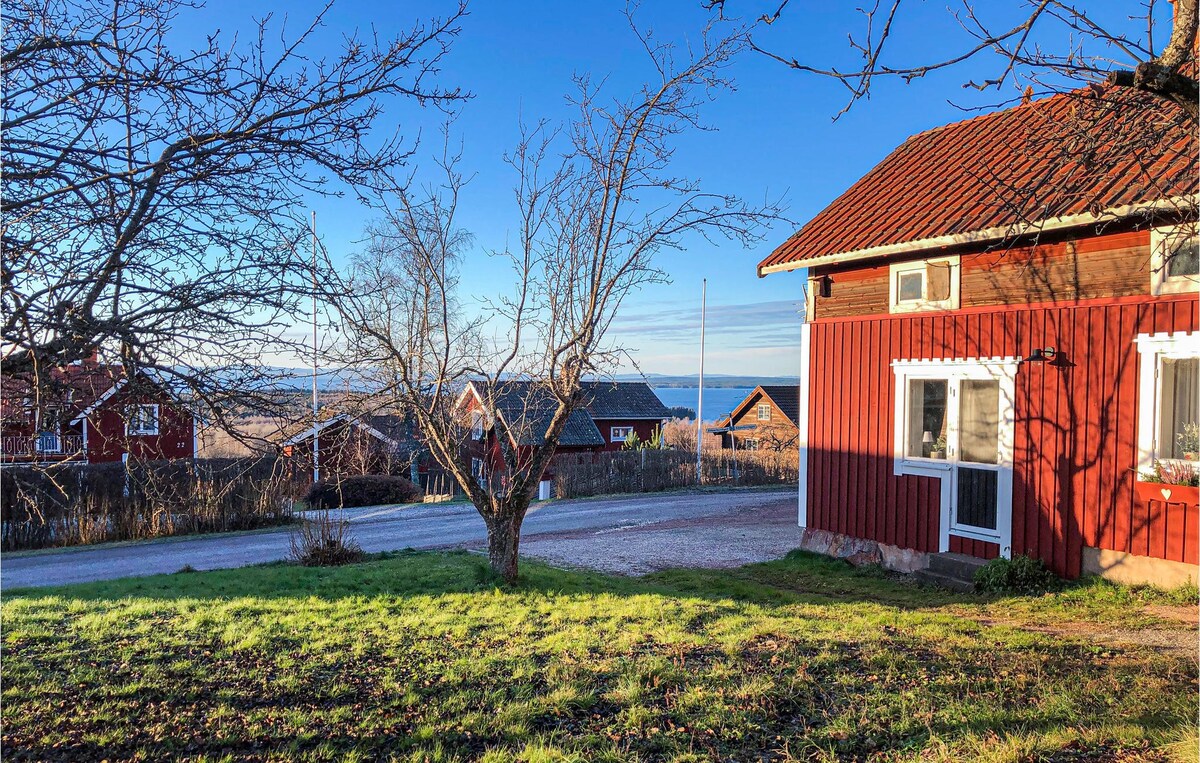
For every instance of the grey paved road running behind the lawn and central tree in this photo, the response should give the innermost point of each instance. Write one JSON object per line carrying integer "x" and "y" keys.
{"x": 435, "y": 526}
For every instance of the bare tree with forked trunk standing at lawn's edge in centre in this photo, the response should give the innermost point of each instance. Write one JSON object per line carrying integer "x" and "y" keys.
{"x": 597, "y": 201}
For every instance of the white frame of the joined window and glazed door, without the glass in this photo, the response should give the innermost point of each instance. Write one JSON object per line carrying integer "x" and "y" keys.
{"x": 955, "y": 373}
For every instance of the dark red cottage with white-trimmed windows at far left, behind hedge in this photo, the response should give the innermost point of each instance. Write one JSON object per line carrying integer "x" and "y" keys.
{"x": 92, "y": 413}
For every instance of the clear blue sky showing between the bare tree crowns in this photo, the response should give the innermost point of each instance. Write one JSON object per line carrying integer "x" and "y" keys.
{"x": 775, "y": 136}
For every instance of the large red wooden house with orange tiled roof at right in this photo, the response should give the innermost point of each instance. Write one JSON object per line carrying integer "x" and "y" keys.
{"x": 983, "y": 382}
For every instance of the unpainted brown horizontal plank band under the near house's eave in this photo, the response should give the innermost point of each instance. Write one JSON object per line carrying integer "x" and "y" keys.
{"x": 1095, "y": 268}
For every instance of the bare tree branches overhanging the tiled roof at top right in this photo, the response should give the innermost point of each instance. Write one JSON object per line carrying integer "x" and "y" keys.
{"x": 1091, "y": 51}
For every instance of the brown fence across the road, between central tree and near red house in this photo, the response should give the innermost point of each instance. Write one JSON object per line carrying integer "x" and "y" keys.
{"x": 652, "y": 471}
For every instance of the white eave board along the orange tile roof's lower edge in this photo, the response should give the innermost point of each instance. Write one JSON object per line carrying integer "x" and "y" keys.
{"x": 1185, "y": 203}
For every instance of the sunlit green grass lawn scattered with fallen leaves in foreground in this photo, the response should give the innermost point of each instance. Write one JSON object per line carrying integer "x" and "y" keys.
{"x": 421, "y": 657}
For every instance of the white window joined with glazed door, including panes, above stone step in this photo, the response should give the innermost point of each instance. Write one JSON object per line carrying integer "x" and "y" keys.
{"x": 955, "y": 422}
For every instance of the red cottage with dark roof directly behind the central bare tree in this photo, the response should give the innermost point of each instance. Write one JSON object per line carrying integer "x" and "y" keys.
{"x": 614, "y": 411}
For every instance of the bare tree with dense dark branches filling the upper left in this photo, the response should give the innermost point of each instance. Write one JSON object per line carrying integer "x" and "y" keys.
{"x": 154, "y": 196}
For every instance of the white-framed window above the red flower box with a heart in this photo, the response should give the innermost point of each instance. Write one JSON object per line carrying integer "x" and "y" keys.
{"x": 1169, "y": 399}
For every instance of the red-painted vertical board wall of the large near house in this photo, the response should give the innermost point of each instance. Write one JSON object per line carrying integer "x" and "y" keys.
{"x": 1076, "y": 430}
